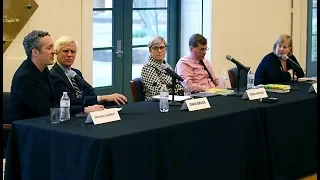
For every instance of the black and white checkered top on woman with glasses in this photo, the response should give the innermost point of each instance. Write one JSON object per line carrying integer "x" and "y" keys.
{"x": 153, "y": 77}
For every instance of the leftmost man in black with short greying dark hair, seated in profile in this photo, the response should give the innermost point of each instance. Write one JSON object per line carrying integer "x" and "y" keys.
{"x": 31, "y": 89}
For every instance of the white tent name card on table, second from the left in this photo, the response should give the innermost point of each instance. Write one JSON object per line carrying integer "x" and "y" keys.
{"x": 195, "y": 104}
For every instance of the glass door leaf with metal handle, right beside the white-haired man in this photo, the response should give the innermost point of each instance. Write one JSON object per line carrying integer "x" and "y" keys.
{"x": 107, "y": 18}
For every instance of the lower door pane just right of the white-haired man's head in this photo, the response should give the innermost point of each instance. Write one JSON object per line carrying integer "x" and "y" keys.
{"x": 102, "y": 68}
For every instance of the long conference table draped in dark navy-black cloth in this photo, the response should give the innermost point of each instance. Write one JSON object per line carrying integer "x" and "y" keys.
{"x": 234, "y": 139}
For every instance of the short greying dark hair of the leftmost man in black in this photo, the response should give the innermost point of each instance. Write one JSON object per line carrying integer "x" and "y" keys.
{"x": 32, "y": 40}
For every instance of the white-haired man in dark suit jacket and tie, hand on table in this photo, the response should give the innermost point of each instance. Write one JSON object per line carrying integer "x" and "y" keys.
{"x": 70, "y": 80}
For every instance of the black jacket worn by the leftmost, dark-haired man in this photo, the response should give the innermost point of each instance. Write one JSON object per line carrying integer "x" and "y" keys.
{"x": 31, "y": 94}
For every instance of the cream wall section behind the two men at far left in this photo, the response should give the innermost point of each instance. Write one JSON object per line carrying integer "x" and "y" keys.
{"x": 59, "y": 17}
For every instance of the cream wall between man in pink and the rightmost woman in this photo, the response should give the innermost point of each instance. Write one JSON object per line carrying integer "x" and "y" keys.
{"x": 246, "y": 30}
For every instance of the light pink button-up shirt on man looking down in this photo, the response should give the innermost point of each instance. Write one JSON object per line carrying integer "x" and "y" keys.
{"x": 194, "y": 74}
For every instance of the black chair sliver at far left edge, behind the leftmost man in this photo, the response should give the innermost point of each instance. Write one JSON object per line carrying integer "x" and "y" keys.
{"x": 5, "y": 119}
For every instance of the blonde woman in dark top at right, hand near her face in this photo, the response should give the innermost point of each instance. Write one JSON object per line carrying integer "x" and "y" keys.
{"x": 274, "y": 69}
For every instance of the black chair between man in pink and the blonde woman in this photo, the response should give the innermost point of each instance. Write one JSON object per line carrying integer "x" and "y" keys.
{"x": 233, "y": 72}
